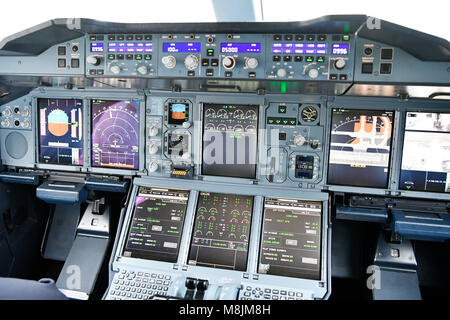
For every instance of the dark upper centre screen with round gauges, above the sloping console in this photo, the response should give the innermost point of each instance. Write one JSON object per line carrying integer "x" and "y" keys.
{"x": 230, "y": 138}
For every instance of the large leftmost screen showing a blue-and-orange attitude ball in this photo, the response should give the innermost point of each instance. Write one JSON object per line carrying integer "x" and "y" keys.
{"x": 61, "y": 131}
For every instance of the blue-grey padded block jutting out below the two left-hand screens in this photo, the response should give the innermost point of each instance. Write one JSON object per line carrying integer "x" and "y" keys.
{"x": 61, "y": 192}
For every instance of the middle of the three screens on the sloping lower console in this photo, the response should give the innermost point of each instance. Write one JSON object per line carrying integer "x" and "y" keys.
{"x": 221, "y": 232}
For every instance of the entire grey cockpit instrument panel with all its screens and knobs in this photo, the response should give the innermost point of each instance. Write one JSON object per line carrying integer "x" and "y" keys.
{"x": 235, "y": 150}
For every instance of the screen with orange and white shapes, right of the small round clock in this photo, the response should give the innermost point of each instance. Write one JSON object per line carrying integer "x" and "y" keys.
{"x": 360, "y": 147}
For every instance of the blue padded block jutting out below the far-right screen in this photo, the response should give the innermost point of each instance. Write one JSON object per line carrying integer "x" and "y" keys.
{"x": 421, "y": 226}
